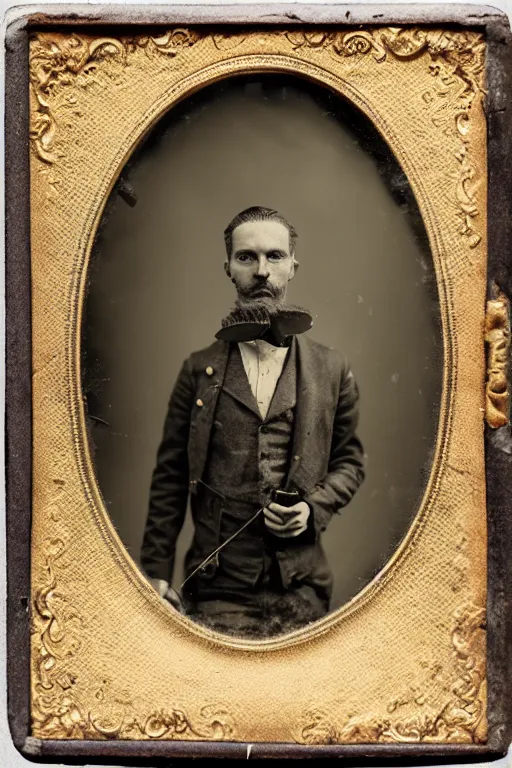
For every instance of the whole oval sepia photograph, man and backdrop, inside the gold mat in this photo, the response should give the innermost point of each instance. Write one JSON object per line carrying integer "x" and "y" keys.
{"x": 259, "y": 464}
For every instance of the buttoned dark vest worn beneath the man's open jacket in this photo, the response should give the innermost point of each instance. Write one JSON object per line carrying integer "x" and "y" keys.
{"x": 247, "y": 458}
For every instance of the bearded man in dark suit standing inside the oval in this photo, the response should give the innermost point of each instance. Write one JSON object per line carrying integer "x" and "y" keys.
{"x": 261, "y": 434}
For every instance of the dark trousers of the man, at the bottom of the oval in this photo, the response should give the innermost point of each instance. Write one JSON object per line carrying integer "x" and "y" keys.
{"x": 243, "y": 593}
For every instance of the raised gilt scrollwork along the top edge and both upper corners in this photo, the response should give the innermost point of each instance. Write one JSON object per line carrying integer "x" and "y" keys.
{"x": 455, "y": 59}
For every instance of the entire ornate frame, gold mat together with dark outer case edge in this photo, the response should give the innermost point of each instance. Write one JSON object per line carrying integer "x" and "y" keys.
{"x": 86, "y": 90}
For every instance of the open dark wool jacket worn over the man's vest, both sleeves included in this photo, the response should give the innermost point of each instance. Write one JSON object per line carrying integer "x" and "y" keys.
{"x": 327, "y": 466}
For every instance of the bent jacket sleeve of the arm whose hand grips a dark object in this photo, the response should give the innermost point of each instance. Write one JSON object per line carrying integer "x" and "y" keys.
{"x": 346, "y": 468}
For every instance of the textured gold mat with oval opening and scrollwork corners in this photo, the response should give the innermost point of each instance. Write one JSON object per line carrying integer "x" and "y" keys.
{"x": 379, "y": 678}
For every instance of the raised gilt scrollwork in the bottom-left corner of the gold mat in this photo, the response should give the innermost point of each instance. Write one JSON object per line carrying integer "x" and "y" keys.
{"x": 58, "y": 708}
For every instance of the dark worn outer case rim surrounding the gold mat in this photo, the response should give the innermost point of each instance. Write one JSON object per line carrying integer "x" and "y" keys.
{"x": 18, "y": 439}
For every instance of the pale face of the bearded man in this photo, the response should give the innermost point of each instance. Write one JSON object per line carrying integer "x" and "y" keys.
{"x": 261, "y": 263}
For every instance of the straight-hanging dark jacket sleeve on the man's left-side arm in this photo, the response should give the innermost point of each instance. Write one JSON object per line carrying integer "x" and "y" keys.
{"x": 170, "y": 482}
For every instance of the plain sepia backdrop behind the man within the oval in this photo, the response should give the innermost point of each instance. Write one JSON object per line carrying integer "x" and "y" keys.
{"x": 157, "y": 291}
